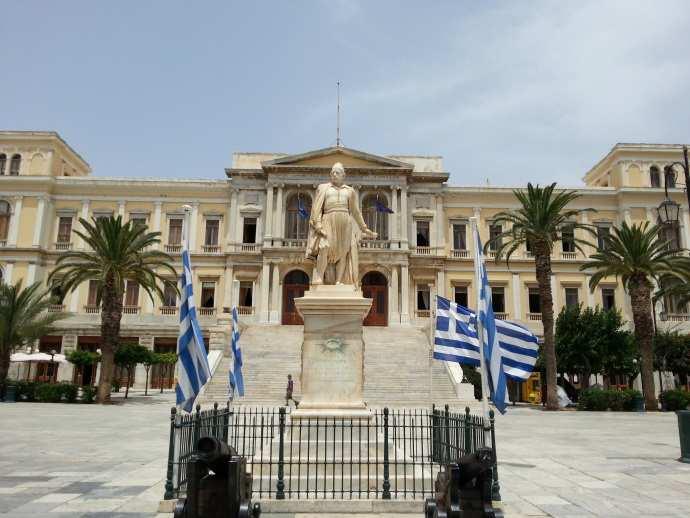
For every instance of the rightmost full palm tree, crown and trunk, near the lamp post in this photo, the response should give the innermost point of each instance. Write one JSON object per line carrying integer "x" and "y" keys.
{"x": 637, "y": 255}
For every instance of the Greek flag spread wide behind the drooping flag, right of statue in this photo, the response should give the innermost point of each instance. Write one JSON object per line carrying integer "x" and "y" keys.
{"x": 456, "y": 340}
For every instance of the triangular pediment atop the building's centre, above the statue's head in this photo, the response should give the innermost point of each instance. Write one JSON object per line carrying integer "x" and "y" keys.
{"x": 325, "y": 158}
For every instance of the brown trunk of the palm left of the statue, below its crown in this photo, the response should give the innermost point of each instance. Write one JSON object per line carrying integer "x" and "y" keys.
{"x": 111, "y": 315}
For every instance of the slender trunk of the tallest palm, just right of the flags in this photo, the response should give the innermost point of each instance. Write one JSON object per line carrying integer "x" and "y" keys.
{"x": 542, "y": 259}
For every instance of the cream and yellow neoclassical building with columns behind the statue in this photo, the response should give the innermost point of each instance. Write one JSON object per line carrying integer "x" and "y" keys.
{"x": 248, "y": 235}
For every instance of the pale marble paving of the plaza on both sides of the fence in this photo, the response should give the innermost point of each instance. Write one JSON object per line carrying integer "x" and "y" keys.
{"x": 93, "y": 461}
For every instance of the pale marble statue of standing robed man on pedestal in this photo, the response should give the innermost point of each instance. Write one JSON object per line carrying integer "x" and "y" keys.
{"x": 335, "y": 227}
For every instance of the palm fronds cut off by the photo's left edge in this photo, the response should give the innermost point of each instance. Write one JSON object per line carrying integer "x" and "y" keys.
{"x": 23, "y": 319}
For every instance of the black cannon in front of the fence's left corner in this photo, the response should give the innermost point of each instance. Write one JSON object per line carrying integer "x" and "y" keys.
{"x": 218, "y": 485}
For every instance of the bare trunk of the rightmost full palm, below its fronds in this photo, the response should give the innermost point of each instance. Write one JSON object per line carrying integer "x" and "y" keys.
{"x": 640, "y": 297}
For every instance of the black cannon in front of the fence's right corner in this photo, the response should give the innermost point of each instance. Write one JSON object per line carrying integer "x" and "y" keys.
{"x": 463, "y": 488}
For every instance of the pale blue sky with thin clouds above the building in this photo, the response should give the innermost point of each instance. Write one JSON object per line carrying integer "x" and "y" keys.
{"x": 512, "y": 91}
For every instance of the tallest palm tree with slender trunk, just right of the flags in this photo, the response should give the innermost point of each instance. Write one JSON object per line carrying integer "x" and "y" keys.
{"x": 538, "y": 224}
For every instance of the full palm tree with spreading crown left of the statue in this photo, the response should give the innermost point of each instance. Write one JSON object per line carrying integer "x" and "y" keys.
{"x": 118, "y": 253}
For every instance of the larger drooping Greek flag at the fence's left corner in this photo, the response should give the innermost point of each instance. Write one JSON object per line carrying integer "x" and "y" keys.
{"x": 193, "y": 369}
